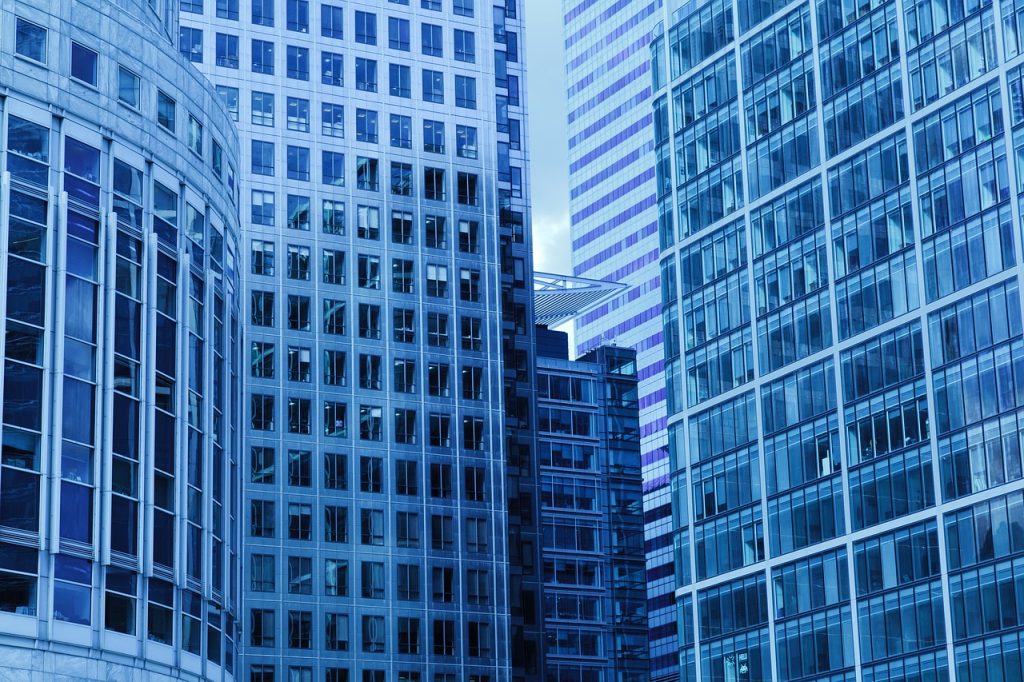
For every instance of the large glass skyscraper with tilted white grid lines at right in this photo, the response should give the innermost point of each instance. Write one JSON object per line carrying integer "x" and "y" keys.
{"x": 843, "y": 336}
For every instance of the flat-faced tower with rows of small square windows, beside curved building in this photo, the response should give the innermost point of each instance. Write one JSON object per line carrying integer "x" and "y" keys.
{"x": 388, "y": 276}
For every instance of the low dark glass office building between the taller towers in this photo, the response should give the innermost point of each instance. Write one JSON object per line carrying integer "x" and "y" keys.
{"x": 589, "y": 448}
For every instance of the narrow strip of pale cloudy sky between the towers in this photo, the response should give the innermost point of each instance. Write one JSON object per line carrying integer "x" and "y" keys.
{"x": 548, "y": 137}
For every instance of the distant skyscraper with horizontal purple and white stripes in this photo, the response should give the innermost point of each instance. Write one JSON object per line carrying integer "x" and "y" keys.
{"x": 615, "y": 228}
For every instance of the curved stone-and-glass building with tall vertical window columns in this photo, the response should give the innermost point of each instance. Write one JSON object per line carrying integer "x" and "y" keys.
{"x": 120, "y": 316}
